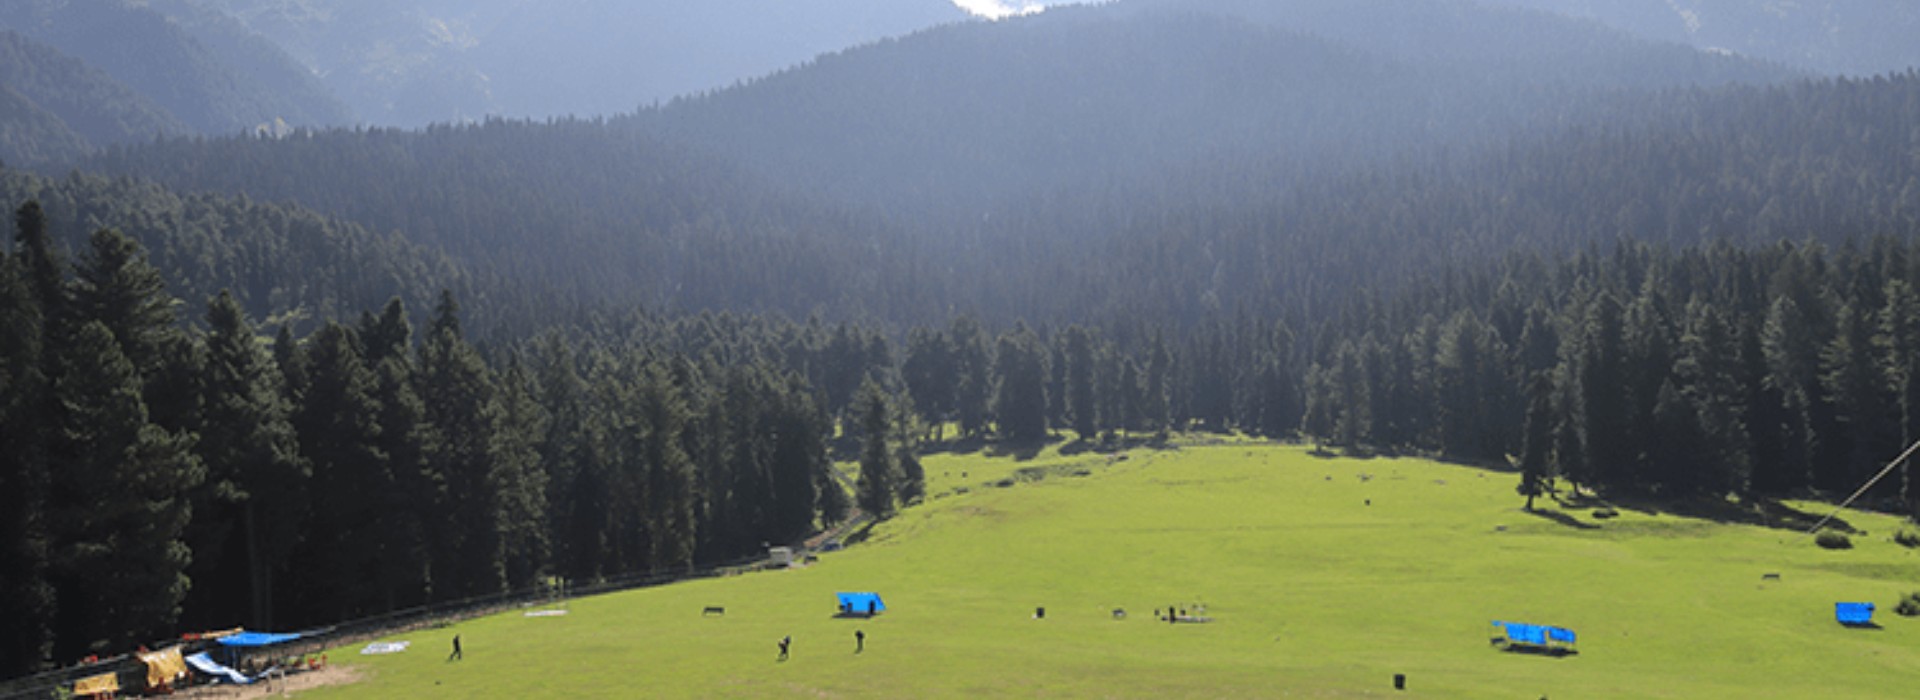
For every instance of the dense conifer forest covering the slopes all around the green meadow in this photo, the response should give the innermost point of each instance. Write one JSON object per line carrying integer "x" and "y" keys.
{"x": 300, "y": 377}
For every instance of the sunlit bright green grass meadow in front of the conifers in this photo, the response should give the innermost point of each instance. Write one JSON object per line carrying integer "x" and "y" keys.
{"x": 1314, "y": 594}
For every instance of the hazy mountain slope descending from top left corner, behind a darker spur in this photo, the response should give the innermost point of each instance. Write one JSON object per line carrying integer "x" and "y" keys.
{"x": 155, "y": 57}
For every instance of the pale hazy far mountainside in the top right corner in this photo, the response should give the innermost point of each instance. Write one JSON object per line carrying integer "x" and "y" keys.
{"x": 1846, "y": 37}
